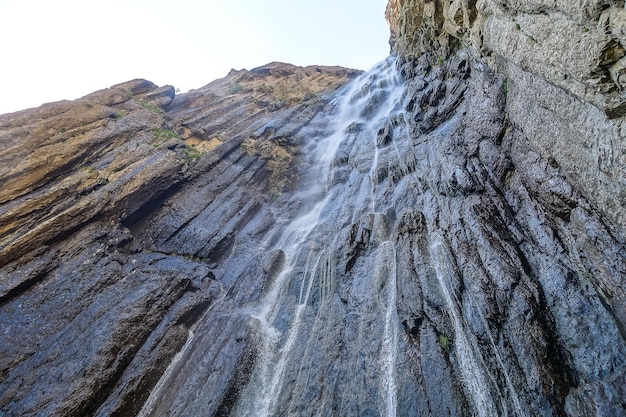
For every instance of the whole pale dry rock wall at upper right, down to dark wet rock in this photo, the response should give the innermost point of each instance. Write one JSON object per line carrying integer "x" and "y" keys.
{"x": 563, "y": 66}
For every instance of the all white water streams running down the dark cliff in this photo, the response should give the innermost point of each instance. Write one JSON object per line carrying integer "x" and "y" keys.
{"x": 310, "y": 278}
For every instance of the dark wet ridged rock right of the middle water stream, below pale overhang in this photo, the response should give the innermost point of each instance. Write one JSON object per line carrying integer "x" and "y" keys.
{"x": 496, "y": 204}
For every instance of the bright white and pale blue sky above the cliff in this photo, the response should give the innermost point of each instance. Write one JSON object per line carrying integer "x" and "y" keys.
{"x": 65, "y": 49}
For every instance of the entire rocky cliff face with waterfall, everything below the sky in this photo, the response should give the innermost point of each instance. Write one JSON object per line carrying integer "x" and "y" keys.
{"x": 444, "y": 235}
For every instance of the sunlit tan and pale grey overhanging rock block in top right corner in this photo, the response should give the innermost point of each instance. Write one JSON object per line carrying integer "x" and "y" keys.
{"x": 579, "y": 47}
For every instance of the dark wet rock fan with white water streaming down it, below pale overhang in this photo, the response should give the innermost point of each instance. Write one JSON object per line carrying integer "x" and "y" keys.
{"x": 450, "y": 270}
